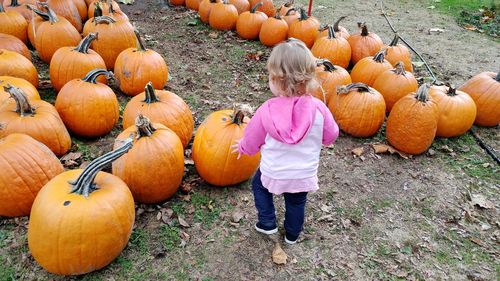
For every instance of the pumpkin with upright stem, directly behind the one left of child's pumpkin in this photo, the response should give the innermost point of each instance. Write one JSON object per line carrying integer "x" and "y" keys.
{"x": 171, "y": 111}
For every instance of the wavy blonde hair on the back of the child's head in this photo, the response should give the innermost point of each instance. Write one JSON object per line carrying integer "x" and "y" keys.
{"x": 291, "y": 67}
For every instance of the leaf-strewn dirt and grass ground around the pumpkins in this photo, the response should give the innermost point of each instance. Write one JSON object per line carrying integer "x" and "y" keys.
{"x": 375, "y": 217}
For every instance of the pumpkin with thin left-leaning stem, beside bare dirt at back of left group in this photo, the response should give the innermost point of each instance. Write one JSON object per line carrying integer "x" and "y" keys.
{"x": 135, "y": 67}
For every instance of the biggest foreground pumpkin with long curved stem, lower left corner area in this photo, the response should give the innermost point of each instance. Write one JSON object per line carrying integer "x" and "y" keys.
{"x": 81, "y": 220}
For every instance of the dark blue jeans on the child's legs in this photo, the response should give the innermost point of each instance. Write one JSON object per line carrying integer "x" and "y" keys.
{"x": 295, "y": 204}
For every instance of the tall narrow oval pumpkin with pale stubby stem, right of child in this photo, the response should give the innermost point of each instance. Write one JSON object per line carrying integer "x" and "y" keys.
{"x": 412, "y": 123}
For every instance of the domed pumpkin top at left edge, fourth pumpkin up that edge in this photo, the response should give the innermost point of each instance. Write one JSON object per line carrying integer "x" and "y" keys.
{"x": 16, "y": 65}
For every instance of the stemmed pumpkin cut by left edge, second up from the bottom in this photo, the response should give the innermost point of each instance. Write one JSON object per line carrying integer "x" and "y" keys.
{"x": 36, "y": 118}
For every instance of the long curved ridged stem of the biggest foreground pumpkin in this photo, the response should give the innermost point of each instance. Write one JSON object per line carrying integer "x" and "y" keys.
{"x": 84, "y": 184}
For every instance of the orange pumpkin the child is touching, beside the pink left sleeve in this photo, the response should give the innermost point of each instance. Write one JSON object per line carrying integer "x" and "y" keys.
{"x": 212, "y": 153}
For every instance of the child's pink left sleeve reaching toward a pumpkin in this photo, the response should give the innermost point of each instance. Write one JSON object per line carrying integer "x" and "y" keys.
{"x": 254, "y": 136}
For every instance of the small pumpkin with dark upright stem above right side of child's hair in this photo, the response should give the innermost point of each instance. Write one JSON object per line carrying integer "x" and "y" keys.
{"x": 305, "y": 29}
